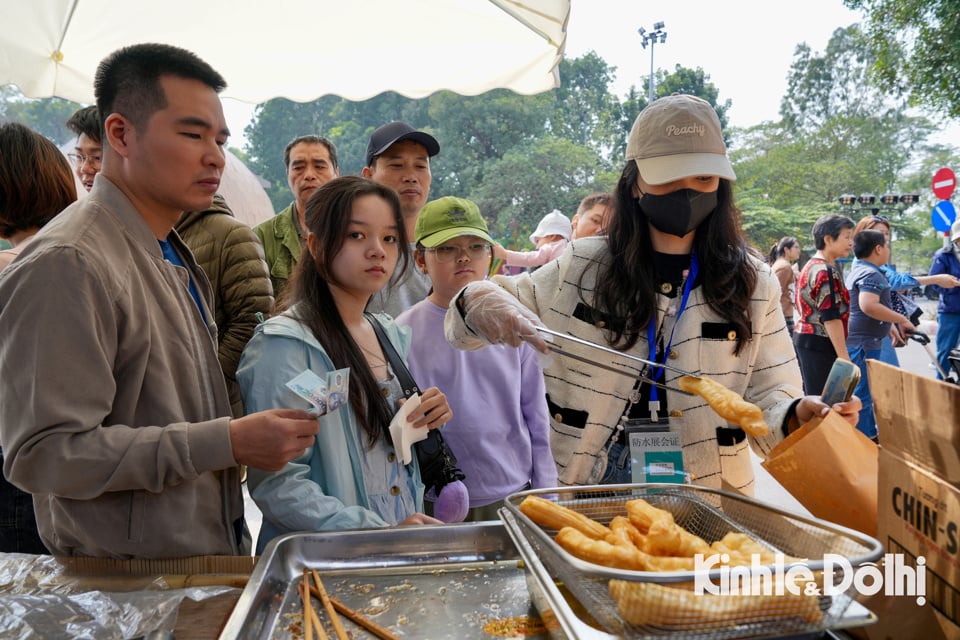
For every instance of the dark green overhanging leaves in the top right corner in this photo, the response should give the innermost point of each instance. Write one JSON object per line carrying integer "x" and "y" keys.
{"x": 916, "y": 49}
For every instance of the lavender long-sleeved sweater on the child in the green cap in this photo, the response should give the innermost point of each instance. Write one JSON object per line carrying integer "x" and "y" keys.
{"x": 500, "y": 431}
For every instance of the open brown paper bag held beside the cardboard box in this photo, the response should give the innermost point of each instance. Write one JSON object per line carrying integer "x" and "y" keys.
{"x": 831, "y": 469}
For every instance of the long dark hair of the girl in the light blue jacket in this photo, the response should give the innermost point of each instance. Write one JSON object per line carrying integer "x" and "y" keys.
{"x": 328, "y": 216}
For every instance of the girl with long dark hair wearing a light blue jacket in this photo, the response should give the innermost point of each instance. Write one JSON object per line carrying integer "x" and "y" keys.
{"x": 351, "y": 477}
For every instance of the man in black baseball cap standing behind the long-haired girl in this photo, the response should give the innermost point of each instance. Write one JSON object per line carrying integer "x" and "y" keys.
{"x": 398, "y": 156}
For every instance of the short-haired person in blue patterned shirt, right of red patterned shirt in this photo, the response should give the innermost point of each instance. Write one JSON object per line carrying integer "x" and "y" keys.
{"x": 871, "y": 314}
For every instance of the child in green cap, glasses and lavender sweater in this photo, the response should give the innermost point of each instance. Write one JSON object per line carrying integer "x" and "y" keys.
{"x": 501, "y": 431}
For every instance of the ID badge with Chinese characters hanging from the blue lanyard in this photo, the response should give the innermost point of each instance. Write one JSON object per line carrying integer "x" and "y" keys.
{"x": 656, "y": 453}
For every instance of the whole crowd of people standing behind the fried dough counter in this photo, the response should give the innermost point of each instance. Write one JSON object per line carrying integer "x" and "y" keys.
{"x": 187, "y": 331}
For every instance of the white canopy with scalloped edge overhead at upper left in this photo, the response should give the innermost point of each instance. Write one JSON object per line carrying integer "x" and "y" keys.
{"x": 298, "y": 49}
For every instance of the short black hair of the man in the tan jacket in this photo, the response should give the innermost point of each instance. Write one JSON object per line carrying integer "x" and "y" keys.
{"x": 128, "y": 80}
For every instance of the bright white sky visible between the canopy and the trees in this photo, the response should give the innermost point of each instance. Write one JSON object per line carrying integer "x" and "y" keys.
{"x": 745, "y": 46}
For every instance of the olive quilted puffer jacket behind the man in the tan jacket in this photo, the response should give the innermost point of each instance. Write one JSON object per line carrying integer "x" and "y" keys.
{"x": 230, "y": 254}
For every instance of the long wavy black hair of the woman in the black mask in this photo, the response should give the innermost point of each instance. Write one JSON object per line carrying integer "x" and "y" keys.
{"x": 626, "y": 285}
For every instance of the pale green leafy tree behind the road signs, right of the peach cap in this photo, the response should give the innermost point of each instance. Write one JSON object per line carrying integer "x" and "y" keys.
{"x": 838, "y": 134}
